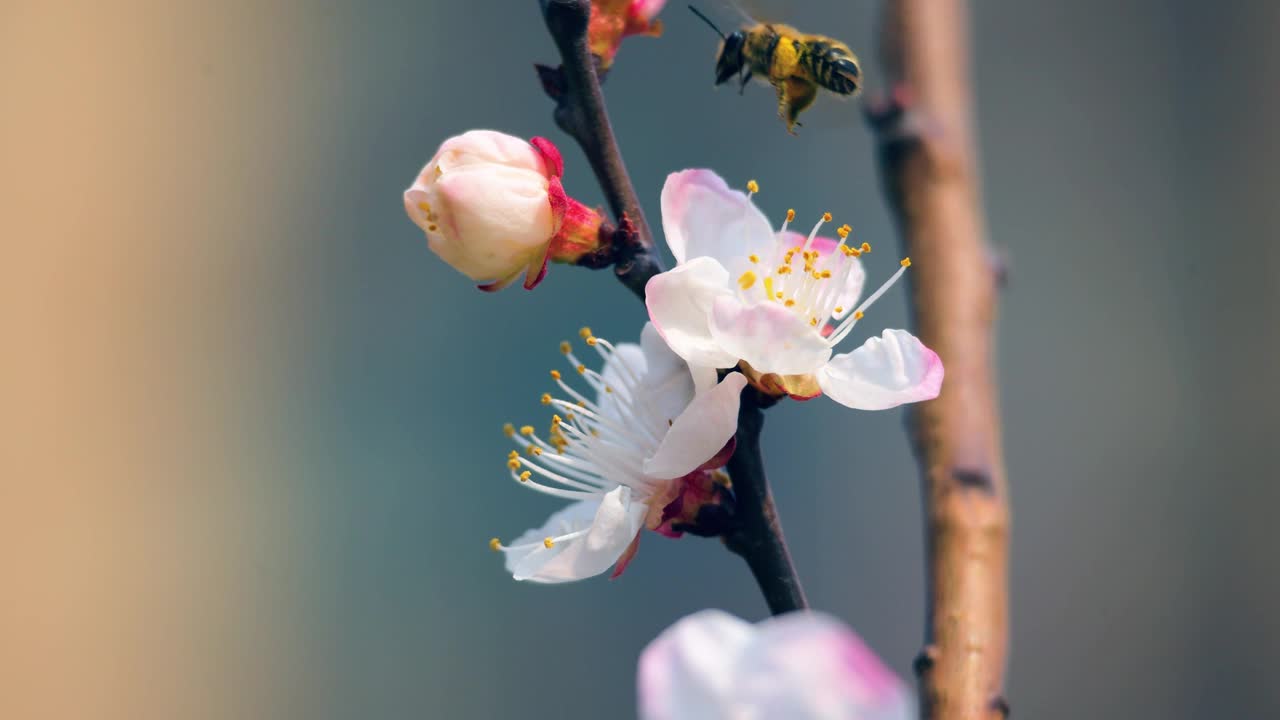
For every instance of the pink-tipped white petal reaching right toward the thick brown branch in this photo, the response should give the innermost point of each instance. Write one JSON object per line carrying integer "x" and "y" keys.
{"x": 884, "y": 373}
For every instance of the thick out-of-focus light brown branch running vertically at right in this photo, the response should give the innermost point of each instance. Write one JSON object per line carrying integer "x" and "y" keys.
{"x": 929, "y": 168}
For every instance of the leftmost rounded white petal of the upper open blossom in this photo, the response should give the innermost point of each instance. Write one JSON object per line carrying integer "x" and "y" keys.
{"x": 680, "y": 304}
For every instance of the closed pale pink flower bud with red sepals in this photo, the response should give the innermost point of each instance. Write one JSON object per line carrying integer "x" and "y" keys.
{"x": 492, "y": 206}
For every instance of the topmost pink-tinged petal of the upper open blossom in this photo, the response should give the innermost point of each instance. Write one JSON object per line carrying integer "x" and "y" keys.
{"x": 703, "y": 218}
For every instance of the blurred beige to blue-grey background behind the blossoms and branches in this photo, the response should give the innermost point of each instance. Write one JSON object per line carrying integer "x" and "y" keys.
{"x": 253, "y": 450}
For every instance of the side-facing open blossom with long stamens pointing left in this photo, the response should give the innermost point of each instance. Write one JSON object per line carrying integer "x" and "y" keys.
{"x": 643, "y": 454}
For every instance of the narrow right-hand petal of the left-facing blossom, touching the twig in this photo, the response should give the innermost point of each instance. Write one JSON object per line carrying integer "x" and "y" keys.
{"x": 700, "y": 432}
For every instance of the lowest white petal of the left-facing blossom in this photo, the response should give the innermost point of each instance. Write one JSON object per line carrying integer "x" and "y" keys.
{"x": 614, "y": 523}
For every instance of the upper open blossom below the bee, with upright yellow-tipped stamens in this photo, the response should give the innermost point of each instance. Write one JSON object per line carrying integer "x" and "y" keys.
{"x": 776, "y": 303}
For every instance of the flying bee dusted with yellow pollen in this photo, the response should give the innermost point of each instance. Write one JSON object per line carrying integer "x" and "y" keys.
{"x": 794, "y": 63}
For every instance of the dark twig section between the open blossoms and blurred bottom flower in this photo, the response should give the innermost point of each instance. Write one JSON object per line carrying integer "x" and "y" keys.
{"x": 758, "y": 534}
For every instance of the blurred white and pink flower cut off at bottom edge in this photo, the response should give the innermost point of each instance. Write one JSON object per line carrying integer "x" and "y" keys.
{"x": 799, "y": 667}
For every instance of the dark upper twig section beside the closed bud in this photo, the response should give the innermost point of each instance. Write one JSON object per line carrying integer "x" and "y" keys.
{"x": 580, "y": 112}
